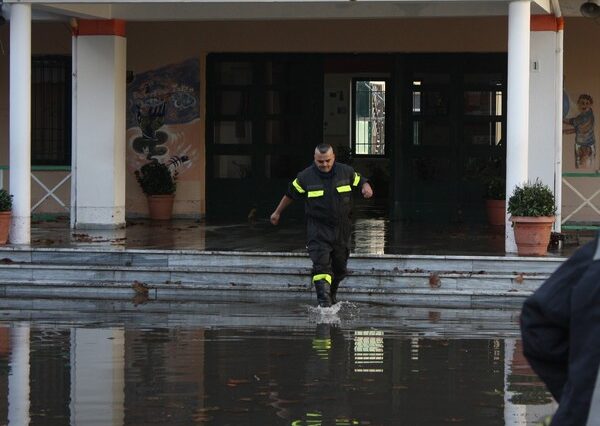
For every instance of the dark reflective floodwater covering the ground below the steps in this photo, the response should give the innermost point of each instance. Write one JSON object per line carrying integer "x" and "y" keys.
{"x": 252, "y": 364}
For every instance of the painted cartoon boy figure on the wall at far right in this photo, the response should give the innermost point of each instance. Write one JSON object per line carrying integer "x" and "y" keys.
{"x": 582, "y": 125}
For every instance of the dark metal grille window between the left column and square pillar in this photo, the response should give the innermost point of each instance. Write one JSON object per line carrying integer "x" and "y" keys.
{"x": 51, "y": 110}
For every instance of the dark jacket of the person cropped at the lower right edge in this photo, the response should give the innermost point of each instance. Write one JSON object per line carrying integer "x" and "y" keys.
{"x": 560, "y": 326}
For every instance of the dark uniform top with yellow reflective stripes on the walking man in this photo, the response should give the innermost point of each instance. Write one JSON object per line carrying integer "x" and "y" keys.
{"x": 328, "y": 201}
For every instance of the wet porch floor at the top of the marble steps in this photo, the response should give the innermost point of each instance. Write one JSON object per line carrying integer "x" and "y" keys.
{"x": 370, "y": 236}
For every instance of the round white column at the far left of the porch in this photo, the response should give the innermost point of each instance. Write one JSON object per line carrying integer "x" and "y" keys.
{"x": 20, "y": 122}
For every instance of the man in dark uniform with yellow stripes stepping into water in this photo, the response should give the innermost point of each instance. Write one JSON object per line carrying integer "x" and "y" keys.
{"x": 326, "y": 187}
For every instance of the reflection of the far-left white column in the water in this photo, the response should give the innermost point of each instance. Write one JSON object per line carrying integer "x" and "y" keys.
{"x": 18, "y": 378}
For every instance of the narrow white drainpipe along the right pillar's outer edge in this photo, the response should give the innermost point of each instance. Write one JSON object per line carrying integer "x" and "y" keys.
{"x": 559, "y": 112}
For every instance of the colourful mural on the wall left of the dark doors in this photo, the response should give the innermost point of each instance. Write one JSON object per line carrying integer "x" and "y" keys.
{"x": 163, "y": 117}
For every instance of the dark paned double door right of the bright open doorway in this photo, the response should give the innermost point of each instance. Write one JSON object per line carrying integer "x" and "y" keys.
{"x": 452, "y": 135}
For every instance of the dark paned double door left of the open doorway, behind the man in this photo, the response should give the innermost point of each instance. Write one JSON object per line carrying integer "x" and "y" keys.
{"x": 264, "y": 117}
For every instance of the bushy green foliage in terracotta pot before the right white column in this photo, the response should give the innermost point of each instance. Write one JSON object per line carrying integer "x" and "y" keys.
{"x": 532, "y": 199}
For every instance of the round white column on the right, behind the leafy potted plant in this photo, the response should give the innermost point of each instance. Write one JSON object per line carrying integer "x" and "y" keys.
{"x": 517, "y": 121}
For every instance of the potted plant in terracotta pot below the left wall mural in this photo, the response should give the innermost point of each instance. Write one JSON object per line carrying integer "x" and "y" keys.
{"x": 159, "y": 184}
